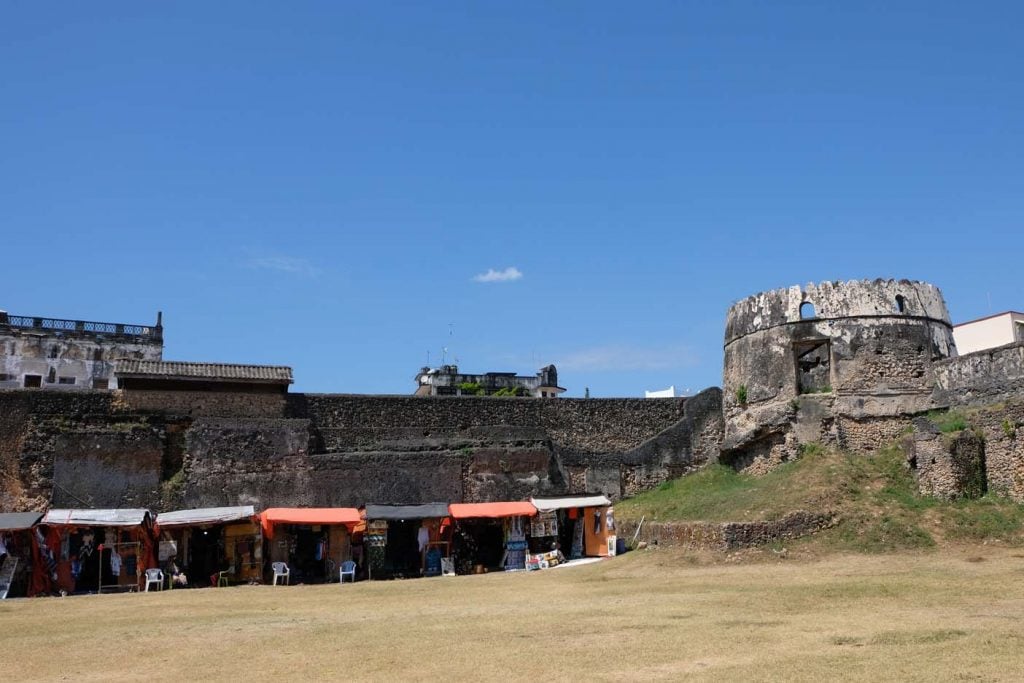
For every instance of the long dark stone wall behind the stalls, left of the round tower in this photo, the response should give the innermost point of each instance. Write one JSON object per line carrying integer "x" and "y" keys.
{"x": 172, "y": 449}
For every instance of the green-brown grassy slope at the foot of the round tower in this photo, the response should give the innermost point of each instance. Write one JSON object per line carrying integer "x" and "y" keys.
{"x": 875, "y": 497}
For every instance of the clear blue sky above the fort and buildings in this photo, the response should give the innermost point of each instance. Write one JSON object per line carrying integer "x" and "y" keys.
{"x": 319, "y": 184}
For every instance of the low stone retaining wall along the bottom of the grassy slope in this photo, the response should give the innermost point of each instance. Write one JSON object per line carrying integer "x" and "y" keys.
{"x": 727, "y": 536}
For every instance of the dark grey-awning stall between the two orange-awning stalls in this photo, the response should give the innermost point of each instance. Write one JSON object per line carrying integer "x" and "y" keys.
{"x": 407, "y": 541}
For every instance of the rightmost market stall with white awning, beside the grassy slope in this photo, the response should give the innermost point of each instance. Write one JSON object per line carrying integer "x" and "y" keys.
{"x": 574, "y": 526}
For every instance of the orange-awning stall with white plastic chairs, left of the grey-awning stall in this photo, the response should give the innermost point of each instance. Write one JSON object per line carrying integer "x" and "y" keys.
{"x": 313, "y": 542}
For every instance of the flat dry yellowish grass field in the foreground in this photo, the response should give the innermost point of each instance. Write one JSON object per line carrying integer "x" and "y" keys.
{"x": 950, "y": 615}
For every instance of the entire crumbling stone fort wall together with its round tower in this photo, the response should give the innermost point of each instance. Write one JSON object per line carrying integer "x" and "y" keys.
{"x": 857, "y": 365}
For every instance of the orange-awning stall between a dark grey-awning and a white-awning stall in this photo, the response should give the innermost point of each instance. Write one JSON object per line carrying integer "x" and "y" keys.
{"x": 491, "y": 536}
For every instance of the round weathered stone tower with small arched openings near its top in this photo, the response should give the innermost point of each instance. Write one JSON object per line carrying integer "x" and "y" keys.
{"x": 839, "y": 363}
